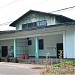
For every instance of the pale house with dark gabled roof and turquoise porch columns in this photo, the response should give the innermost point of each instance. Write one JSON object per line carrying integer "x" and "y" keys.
{"x": 38, "y": 33}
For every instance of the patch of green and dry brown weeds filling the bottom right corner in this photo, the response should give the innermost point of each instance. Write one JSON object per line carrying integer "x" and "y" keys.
{"x": 63, "y": 68}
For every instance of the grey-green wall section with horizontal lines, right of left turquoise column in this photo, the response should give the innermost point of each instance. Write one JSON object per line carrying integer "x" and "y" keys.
{"x": 21, "y": 47}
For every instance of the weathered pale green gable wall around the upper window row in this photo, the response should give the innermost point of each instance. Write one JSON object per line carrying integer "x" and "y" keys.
{"x": 33, "y": 17}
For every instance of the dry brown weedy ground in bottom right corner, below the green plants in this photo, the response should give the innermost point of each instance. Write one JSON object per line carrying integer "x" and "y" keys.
{"x": 62, "y": 70}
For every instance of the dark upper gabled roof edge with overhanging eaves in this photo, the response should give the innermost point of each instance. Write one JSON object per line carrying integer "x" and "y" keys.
{"x": 30, "y": 11}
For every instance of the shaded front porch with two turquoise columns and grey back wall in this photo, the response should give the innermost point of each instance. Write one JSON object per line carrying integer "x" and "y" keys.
{"x": 35, "y": 47}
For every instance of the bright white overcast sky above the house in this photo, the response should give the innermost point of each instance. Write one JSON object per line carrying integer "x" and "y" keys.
{"x": 10, "y": 10}
